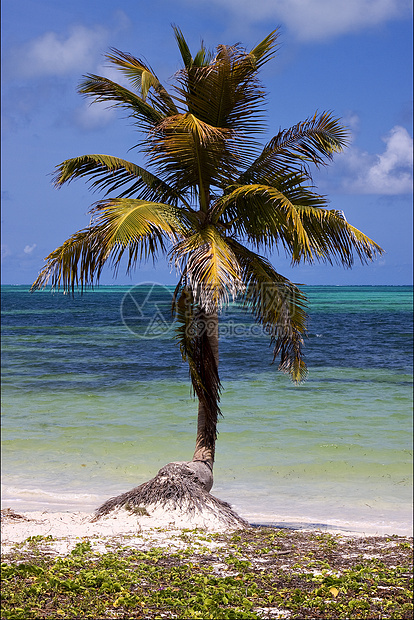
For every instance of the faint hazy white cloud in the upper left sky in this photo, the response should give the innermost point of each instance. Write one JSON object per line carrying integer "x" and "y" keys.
{"x": 54, "y": 55}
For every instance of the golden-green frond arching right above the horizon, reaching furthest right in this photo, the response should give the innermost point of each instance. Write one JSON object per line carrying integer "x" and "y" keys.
{"x": 297, "y": 219}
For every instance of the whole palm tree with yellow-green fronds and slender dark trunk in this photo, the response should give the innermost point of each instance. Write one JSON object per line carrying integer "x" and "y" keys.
{"x": 211, "y": 198}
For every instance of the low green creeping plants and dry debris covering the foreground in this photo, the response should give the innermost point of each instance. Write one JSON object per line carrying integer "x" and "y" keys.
{"x": 212, "y": 582}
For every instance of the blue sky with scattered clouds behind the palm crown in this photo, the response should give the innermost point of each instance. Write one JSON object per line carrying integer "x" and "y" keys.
{"x": 349, "y": 56}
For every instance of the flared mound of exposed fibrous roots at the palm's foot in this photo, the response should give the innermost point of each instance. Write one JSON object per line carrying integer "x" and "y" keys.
{"x": 178, "y": 492}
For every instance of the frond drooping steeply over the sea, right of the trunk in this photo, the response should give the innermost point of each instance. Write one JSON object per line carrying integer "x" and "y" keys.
{"x": 278, "y": 305}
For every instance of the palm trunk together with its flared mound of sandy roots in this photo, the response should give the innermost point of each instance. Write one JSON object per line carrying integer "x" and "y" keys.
{"x": 183, "y": 487}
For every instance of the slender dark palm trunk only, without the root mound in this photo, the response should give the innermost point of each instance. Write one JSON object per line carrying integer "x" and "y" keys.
{"x": 208, "y": 409}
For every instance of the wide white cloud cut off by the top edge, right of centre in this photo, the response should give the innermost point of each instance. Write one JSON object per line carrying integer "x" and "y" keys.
{"x": 320, "y": 19}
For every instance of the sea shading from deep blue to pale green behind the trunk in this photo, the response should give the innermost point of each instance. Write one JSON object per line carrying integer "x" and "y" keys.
{"x": 91, "y": 408}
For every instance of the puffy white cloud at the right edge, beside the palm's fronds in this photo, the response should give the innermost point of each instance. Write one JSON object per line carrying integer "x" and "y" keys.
{"x": 390, "y": 172}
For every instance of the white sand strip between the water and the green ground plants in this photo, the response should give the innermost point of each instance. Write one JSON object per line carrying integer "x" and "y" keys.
{"x": 63, "y": 530}
